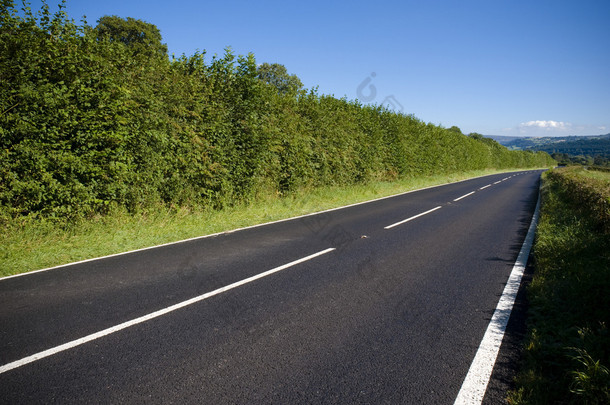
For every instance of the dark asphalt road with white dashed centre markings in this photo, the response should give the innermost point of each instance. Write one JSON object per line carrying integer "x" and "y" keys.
{"x": 383, "y": 302}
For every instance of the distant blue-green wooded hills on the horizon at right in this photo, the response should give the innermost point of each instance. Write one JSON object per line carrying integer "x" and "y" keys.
{"x": 585, "y": 148}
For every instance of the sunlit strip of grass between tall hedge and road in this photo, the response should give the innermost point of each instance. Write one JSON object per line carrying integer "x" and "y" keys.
{"x": 30, "y": 244}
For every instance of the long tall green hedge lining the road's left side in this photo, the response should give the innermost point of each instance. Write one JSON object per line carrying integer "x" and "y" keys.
{"x": 96, "y": 117}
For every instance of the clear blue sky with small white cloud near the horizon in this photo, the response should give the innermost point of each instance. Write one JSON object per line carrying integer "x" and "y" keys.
{"x": 497, "y": 67}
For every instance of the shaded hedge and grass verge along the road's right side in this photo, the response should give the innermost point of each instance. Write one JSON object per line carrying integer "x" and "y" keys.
{"x": 567, "y": 350}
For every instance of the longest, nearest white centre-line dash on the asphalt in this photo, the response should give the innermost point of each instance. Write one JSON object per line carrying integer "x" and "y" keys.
{"x": 124, "y": 325}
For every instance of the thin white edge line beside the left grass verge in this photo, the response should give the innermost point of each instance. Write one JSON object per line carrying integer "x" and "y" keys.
{"x": 237, "y": 229}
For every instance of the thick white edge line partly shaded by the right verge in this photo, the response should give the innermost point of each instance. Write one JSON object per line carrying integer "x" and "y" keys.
{"x": 475, "y": 384}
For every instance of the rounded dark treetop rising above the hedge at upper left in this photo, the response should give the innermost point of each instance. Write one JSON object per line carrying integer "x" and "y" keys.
{"x": 140, "y": 36}
